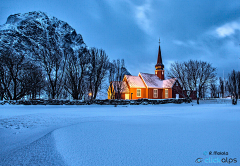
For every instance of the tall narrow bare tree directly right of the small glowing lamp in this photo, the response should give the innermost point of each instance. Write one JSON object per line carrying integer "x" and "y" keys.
{"x": 97, "y": 70}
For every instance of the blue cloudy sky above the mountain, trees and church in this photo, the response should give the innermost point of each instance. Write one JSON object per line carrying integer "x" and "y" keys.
{"x": 207, "y": 30}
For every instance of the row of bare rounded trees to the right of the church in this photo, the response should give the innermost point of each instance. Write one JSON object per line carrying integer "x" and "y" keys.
{"x": 198, "y": 77}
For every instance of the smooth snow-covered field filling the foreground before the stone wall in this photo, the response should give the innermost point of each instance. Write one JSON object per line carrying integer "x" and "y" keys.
{"x": 169, "y": 134}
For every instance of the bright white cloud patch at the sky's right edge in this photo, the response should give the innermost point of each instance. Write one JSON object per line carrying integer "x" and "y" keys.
{"x": 228, "y": 29}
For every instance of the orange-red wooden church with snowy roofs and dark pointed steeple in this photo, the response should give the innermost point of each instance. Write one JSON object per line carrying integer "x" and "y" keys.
{"x": 148, "y": 86}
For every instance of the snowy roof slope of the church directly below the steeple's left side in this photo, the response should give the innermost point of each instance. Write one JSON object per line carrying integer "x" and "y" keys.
{"x": 152, "y": 80}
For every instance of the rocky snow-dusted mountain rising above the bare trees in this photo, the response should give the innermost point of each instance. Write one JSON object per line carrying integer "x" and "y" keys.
{"x": 23, "y": 32}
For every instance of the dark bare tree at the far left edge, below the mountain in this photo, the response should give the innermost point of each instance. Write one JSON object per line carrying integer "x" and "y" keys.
{"x": 14, "y": 81}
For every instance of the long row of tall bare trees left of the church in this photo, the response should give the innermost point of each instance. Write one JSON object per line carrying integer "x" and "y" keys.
{"x": 53, "y": 72}
